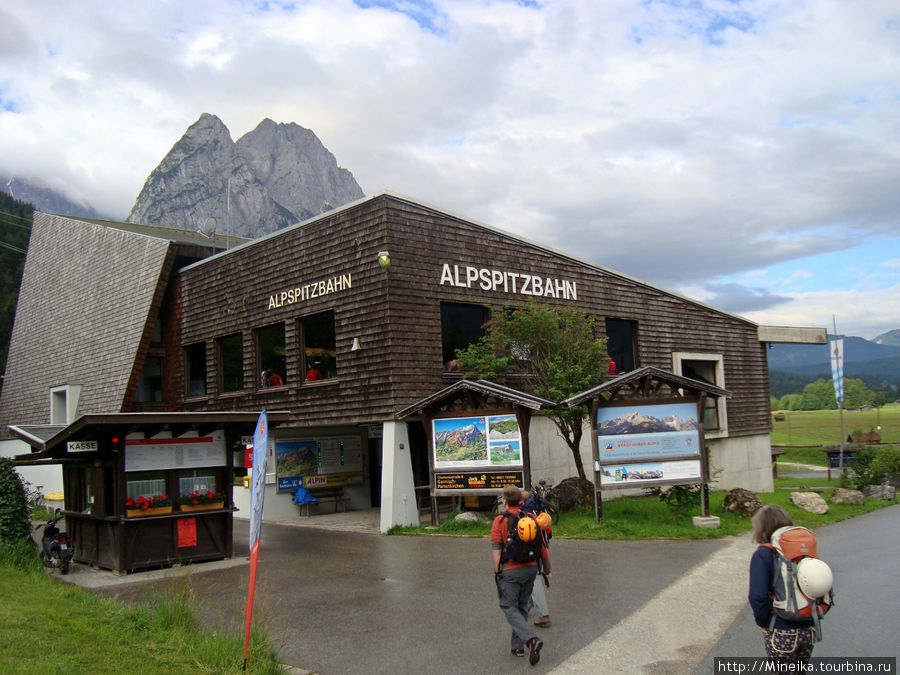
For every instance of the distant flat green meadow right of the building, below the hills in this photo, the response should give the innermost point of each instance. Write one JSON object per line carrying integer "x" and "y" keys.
{"x": 823, "y": 427}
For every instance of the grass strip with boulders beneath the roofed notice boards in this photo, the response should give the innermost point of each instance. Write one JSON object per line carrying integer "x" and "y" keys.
{"x": 648, "y": 518}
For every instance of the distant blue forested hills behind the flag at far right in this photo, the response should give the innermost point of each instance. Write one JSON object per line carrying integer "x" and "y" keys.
{"x": 792, "y": 367}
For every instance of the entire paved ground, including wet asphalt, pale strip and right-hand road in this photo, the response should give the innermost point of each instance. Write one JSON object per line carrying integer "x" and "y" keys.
{"x": 357, "y": 602}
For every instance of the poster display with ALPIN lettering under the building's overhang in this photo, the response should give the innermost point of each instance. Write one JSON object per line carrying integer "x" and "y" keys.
{"x": 323, "y": 462}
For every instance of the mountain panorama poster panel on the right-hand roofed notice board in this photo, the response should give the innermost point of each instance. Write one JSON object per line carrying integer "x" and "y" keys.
{"x": 645, "y": 444}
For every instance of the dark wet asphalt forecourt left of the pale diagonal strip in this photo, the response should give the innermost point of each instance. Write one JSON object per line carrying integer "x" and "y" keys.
{"x": 356, "y": 602}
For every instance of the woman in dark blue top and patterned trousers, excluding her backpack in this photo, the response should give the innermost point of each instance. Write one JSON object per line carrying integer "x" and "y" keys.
{"x": 785, "y": 641}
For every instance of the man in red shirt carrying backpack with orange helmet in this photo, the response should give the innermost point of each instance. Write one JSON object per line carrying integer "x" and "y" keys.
{"x": 516, "y": 547}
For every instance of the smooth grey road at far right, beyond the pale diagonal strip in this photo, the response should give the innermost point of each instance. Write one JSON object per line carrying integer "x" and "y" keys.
{"x": 864, "y": 554}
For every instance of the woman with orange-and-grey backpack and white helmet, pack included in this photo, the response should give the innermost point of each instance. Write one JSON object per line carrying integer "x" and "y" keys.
{"x": 790, "y": 588}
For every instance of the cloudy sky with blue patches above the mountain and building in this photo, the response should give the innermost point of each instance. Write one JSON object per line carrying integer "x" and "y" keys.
{"x": 745, "y": 154}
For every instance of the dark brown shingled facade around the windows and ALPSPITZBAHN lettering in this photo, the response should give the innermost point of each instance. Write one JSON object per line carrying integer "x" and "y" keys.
{"x": 395, "y": 312}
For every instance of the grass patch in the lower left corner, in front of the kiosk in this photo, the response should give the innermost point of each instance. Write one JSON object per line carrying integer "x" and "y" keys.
{"x": 49, "y": 626}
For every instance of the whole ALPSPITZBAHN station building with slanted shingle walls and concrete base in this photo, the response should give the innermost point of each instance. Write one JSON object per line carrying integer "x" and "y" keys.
{"x": 337, "y": 323}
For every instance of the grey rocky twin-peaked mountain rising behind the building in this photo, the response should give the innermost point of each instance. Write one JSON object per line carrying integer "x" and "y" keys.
{"x": 273, "y": 176}
